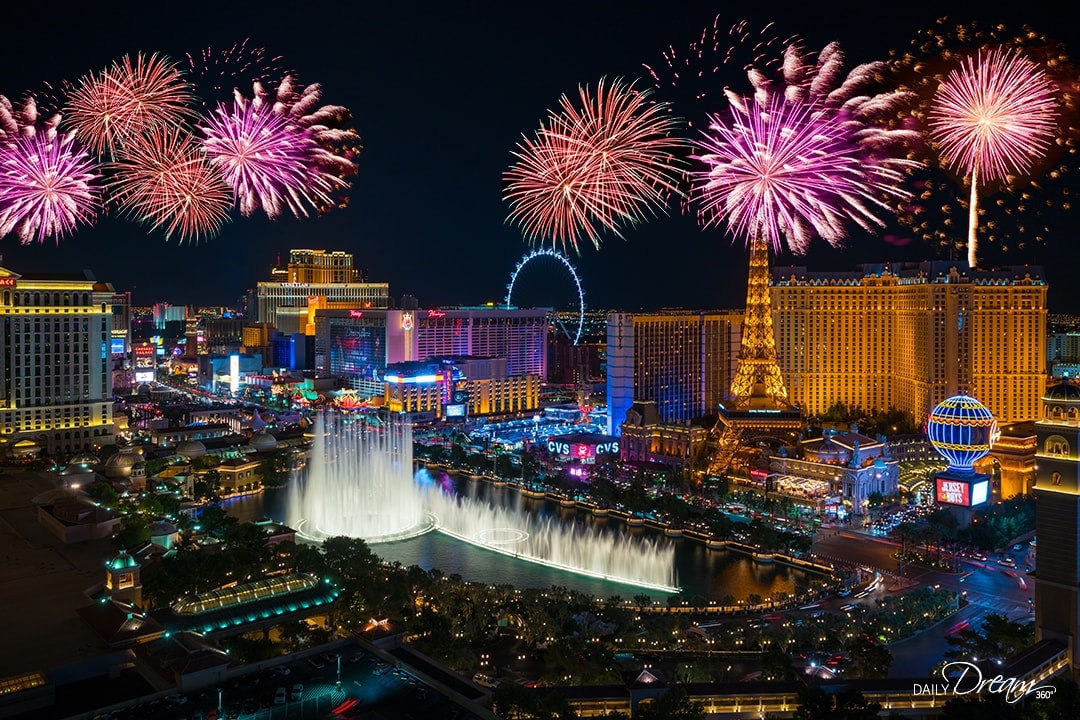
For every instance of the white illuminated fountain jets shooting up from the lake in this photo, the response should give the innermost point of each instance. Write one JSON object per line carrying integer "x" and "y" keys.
{"x": 361, "y": 482}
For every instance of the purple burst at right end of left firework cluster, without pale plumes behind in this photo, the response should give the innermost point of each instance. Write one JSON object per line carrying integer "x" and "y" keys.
{"x": 267, "y": 159}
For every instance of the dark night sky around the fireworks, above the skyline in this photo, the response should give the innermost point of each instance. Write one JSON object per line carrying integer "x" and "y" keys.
{"x": 441, "y": 94}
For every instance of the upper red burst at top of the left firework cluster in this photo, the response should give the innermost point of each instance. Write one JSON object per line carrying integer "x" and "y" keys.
{"x": 132, "y": 97}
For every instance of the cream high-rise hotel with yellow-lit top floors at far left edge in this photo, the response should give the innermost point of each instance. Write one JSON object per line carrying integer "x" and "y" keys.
{"x": 56, "y": 361}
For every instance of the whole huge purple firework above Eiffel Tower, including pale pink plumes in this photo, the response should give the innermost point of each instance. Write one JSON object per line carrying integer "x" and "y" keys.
{"x": 807, "y": 153}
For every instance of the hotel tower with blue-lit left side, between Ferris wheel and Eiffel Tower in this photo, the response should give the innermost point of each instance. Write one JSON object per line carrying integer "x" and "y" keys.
{"x": 682, "y": 361}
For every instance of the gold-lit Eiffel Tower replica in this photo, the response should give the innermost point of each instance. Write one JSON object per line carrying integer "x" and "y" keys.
{"x": 758, "y": 406}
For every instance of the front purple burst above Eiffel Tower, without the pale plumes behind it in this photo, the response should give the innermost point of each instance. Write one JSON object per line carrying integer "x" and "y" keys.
{"x": 779, "y": 170}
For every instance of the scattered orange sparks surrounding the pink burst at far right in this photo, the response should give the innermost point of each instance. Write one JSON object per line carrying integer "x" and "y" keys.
{"x": 1021, "y": 208}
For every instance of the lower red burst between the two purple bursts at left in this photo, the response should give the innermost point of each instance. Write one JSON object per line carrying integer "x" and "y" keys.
{"x": 165, "y": 180}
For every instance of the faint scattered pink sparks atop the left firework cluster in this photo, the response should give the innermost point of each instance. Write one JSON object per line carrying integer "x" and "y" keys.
{"x": 217, "y": 74}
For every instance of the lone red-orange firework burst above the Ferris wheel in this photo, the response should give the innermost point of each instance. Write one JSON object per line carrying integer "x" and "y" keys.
{"x": 603, "y": 165}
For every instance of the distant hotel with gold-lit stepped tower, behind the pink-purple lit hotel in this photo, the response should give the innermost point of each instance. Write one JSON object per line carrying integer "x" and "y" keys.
{"x": 316, "y": 280}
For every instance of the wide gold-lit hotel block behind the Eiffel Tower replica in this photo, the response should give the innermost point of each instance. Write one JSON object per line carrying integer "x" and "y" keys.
{"x": 910, "y": 336}
